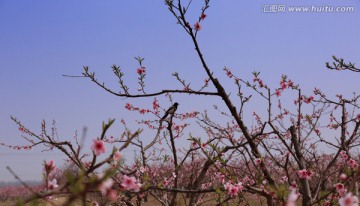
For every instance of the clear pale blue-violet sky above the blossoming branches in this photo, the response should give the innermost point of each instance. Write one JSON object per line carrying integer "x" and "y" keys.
{"x": 40, "y": 40}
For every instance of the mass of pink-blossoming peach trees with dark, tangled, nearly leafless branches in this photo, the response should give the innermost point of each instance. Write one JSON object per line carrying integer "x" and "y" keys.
{"x": 296, "y": 148}
